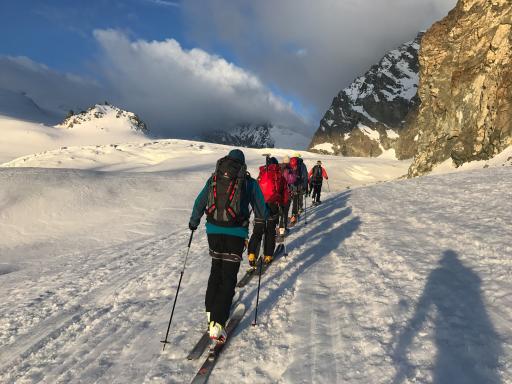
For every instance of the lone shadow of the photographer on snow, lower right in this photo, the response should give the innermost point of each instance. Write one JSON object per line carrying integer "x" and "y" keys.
{"x": 468, "y": 347}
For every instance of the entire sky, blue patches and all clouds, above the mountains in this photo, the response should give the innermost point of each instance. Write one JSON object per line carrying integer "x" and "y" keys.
{"x": 193, "y": 65}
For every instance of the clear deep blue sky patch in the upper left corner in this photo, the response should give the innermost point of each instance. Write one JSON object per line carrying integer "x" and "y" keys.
{"x": 59, "y": 32}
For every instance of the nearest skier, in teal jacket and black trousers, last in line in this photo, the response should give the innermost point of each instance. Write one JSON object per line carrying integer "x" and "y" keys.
{"x": 225, "y": 200}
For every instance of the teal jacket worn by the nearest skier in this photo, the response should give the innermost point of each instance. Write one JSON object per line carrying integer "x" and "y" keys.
{"x": 252, "y": 195}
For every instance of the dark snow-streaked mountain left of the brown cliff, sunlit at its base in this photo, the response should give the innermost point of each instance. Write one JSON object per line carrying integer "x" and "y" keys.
{"x": 369, "y": 117}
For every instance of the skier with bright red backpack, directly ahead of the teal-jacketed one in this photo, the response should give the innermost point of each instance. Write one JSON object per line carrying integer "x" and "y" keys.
{"x": 275, "y": 192}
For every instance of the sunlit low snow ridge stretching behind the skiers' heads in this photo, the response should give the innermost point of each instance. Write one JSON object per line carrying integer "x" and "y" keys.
{"x": 174, "y": 155}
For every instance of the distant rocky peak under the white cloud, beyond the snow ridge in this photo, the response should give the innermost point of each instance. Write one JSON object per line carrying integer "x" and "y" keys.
{"x": 264, "y": 135}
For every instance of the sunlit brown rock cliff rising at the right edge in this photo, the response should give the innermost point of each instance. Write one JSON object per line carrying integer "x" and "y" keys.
{"x": 466, "y": 86}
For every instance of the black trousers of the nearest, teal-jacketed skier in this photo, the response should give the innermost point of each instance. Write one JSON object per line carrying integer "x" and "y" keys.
{"x": 223, "y": 276}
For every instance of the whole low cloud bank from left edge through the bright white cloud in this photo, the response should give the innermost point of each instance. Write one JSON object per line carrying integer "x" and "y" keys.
{"x": 178, "y": 92}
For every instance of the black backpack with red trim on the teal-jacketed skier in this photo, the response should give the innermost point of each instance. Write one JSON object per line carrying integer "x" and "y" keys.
{"x": 228, "y": 182}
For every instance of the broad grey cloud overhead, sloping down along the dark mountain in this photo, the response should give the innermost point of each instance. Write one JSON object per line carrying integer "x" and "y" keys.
{"x": 310, "y": 50}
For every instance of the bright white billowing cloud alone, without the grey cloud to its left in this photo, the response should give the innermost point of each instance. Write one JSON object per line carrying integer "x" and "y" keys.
{"x": 182, "y": 92}
